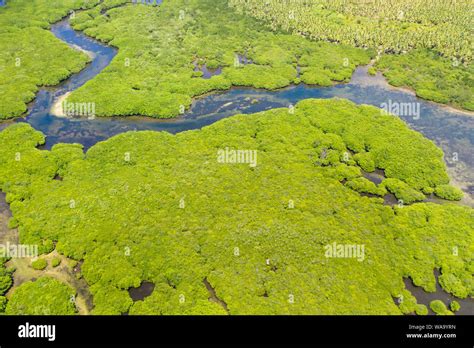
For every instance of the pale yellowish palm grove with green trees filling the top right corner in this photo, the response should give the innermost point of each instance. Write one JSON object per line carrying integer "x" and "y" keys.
{"x": 421, "y": 34}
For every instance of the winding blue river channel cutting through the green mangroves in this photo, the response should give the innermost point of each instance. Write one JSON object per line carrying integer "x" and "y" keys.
{"x": 450, "y": 129}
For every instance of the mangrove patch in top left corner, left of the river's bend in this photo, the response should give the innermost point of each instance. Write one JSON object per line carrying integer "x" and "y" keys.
{"x": 30, "y": 55}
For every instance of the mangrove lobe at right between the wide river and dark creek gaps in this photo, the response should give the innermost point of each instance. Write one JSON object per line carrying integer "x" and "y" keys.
{"x": 370, "y": 135}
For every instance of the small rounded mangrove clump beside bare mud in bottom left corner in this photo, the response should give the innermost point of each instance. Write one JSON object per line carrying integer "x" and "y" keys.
{"x": 45, "y": 296}
